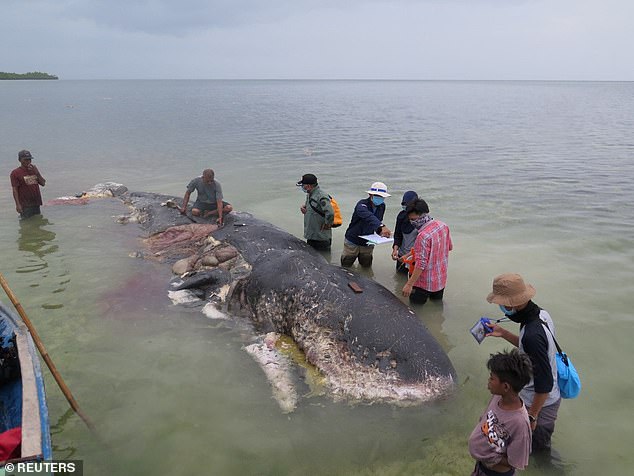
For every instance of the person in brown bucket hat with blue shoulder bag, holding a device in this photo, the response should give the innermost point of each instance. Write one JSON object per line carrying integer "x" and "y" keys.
{"x": 541, "y": 396}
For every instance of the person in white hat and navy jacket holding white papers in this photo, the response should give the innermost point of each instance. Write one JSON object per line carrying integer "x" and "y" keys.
{"x": 366, "y": 219}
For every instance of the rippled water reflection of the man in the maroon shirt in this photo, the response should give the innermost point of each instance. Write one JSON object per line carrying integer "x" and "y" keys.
{"x": 37, "y": 242}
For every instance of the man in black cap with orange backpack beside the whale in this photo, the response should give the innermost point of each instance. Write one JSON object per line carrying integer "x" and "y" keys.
{"x": 318, "y": 214}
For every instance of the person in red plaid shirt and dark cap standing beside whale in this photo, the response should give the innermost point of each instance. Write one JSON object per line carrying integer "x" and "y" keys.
{"x": 431, "y": 255}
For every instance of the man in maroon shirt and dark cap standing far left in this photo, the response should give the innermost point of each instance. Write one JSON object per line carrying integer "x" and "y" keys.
{"x": 26, "y": 181}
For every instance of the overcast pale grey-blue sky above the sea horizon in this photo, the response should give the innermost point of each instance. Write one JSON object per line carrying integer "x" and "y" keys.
{"x": 365, "y": 39}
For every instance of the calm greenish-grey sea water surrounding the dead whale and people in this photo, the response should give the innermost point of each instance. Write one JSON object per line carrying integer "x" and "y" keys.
{"x": 532, "y": 177}
